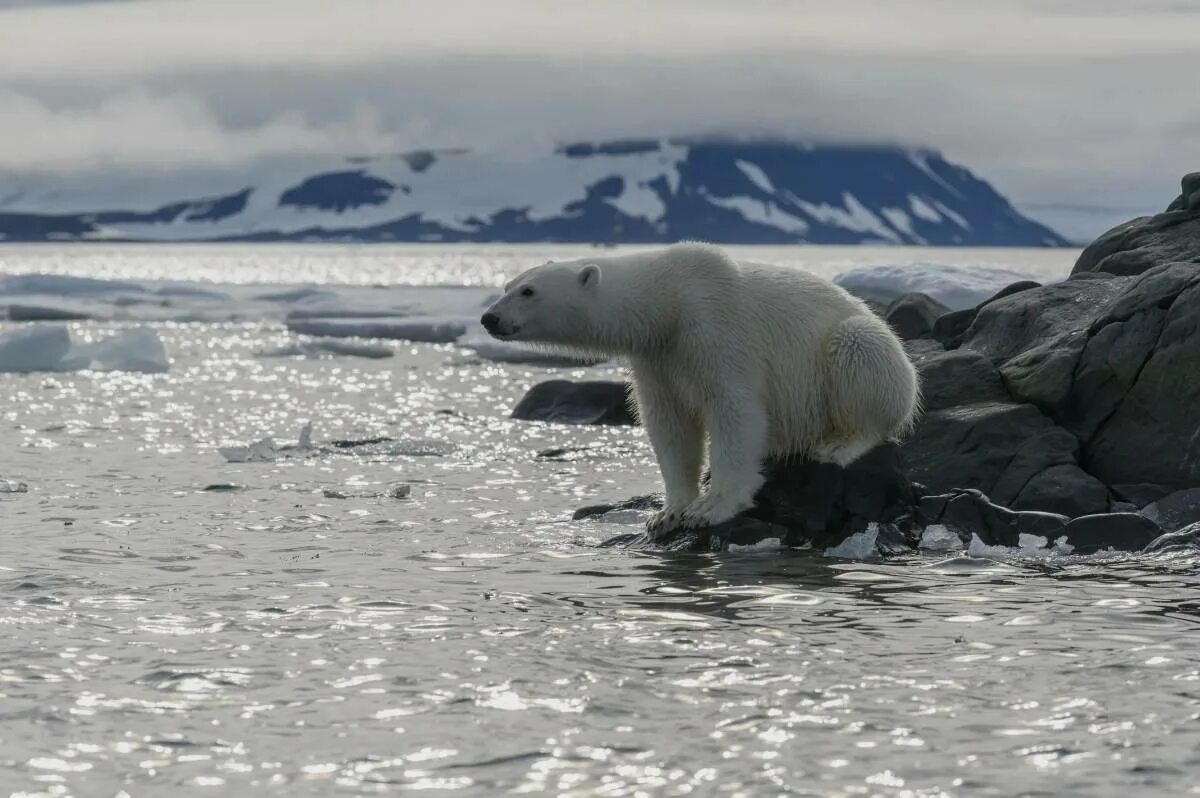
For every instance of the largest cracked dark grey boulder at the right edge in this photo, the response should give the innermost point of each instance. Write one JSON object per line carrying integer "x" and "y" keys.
{"x": 1113, "y": 362}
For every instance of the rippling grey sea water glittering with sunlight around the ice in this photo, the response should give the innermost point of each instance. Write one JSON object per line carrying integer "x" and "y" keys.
{"x": 176, "y": 623}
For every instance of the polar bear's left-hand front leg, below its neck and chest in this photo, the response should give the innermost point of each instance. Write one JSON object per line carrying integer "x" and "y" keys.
{"x": 679, "y": 442}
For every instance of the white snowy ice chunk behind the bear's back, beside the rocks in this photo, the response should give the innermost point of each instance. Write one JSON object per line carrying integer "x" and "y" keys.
{"x": 957, "y": 287}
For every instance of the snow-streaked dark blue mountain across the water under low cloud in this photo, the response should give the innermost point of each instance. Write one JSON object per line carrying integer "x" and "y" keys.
{"x": 621, "y": 191}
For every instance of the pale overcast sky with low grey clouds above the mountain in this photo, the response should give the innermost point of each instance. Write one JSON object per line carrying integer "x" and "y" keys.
{"x": 1053, "y": 101}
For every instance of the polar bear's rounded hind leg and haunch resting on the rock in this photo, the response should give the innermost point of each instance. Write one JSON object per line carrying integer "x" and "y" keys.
{"x": 872, "y": 389}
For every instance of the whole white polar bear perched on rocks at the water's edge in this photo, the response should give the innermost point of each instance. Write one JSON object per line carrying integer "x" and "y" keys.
{"x": 759, "y": 361}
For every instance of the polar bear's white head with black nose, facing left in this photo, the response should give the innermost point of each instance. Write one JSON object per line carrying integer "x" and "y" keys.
{"x": 548, "y": 304}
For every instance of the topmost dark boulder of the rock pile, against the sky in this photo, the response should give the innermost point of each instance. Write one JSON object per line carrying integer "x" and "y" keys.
{"x": 1145, "y": 243}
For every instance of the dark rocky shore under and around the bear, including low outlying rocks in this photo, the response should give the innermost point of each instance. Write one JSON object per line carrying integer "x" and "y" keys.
{"x": 1067, "y": 412}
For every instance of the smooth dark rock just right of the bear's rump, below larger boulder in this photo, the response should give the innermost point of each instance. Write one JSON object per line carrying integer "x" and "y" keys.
{"x": 993, "y": 447}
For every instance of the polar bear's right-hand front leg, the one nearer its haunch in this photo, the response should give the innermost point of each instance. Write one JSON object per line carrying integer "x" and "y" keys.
{"x": 737, "y": 430}
